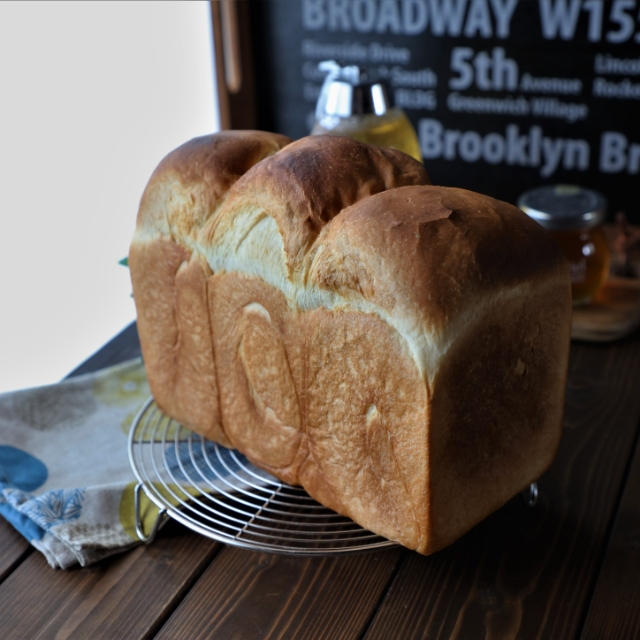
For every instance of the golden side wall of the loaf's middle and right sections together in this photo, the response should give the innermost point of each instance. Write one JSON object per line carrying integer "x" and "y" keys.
{"x": 329, "y": 399}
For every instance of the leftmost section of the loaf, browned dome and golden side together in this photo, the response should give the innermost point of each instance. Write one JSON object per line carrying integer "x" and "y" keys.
{"x": 170, "y": 282}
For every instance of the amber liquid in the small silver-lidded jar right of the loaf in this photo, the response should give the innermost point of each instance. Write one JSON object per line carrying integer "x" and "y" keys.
{"x": 588, "y": 255}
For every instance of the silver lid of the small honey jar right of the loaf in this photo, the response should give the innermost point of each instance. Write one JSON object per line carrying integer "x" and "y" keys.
{"x": 564, "y": 206}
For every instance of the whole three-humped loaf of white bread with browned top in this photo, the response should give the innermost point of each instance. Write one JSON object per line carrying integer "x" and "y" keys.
{"x": 398, "y": 349}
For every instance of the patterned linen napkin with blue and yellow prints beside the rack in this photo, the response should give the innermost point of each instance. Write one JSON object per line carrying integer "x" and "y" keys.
{"x": 65, "y": 479}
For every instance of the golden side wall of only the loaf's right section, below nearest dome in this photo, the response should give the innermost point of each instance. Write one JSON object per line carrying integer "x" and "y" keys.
{"x": 366, "y": 407}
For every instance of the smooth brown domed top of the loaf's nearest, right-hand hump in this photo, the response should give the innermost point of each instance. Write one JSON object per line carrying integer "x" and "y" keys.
{"x": 427, "y": 252}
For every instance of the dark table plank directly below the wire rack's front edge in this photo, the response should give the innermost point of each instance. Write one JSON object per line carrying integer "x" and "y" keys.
{"x": 246, "y": 595}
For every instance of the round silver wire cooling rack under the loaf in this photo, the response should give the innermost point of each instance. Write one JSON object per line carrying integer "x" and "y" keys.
{"x": 220, "y": 494}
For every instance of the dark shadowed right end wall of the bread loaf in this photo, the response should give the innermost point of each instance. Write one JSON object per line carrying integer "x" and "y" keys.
{"x": 497, "y": 407}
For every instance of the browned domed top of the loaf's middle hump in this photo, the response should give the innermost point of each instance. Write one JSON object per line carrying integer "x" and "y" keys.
{"x": 306, "y": 184}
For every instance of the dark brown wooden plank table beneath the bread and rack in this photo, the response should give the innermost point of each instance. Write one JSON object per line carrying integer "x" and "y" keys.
{"x": 569, "y": 567}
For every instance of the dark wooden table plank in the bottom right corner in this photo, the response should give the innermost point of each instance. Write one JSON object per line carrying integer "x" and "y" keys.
{"x": 615, "y": 607}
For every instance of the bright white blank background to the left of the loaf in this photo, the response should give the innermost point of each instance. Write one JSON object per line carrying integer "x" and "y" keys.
{"x": 92, "y": 95}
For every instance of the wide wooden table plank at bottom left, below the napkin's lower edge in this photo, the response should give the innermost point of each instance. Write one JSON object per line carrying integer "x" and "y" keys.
{"x": 124, "y": 597}
